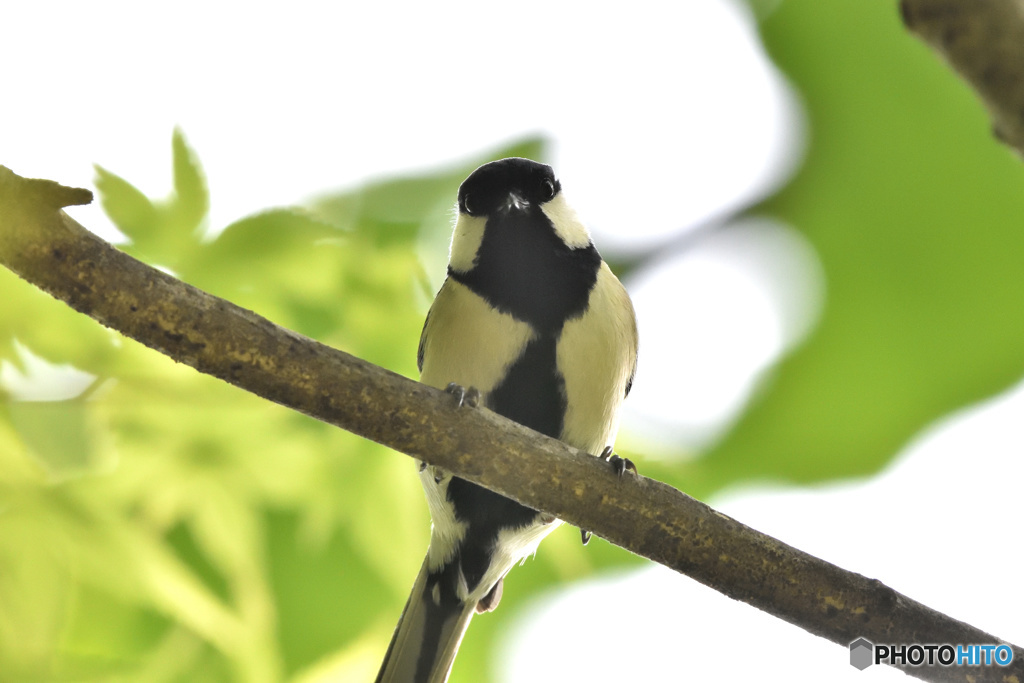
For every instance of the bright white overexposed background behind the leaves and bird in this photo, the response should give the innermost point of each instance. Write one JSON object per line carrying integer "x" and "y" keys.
{"x": 650, "y": 108}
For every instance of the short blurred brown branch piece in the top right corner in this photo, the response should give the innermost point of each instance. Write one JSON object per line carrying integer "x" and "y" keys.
{"x": 984, "y": 41}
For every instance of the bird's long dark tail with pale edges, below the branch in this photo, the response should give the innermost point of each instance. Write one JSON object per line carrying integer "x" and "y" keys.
{"x": 428, "y": 637}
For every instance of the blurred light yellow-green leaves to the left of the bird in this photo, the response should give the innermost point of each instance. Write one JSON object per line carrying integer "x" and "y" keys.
{"x": 162, "y": 526}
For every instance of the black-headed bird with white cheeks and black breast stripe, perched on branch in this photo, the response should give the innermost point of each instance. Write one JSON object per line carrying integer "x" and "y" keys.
{"x": 531, "y": 323}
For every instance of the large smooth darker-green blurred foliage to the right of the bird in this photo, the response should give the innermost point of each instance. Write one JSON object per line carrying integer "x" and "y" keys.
{"x": 915, "y": 210}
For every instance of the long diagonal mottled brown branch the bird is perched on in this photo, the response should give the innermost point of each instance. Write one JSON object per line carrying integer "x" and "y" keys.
{"x": 51, "y": 250}
